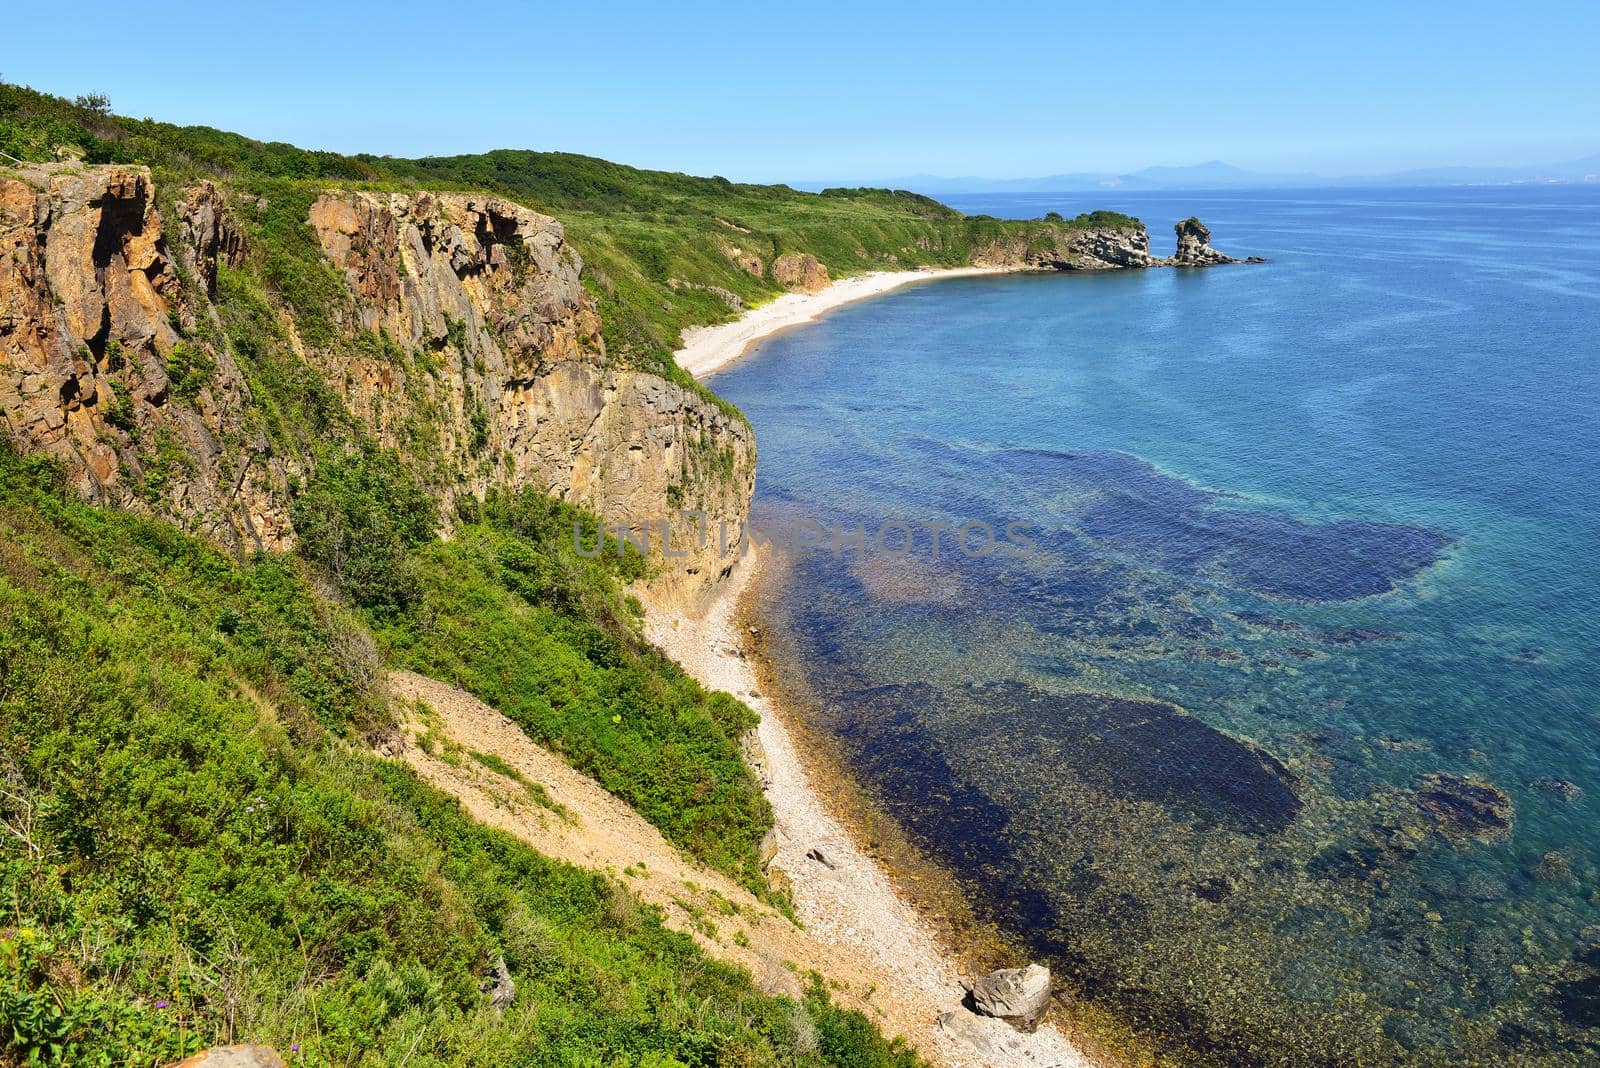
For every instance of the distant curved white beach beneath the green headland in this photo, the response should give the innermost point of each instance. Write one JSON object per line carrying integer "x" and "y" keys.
{"x": 711, "y": 349}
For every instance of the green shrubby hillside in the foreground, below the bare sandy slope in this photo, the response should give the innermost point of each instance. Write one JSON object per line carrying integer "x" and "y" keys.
{"x": 194, "y": 847}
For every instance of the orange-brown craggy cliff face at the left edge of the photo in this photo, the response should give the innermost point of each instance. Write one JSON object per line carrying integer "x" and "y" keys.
{"x": 98, "y": 365}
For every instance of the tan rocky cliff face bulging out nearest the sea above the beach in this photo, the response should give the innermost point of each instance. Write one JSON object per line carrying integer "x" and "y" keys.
{"x": 495, "y": 345}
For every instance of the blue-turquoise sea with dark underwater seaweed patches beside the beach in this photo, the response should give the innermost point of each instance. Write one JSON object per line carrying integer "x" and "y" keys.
{"x": 1282, "y": 739}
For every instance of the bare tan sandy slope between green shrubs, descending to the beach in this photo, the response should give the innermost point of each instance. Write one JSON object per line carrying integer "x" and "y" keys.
{"x": 468, "y": 751}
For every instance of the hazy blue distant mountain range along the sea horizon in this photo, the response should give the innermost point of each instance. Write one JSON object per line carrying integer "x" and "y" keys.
{"x": 1218, "y": 175}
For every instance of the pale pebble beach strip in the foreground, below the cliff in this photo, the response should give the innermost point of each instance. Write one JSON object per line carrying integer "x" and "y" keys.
{"x": 841, "y": 893}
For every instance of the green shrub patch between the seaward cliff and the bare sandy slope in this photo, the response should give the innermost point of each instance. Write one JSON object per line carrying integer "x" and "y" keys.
{"x": 514, "y": 615}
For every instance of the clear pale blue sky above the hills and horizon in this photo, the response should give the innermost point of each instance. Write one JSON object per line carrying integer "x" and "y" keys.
{"x": 820, "y": 90}
